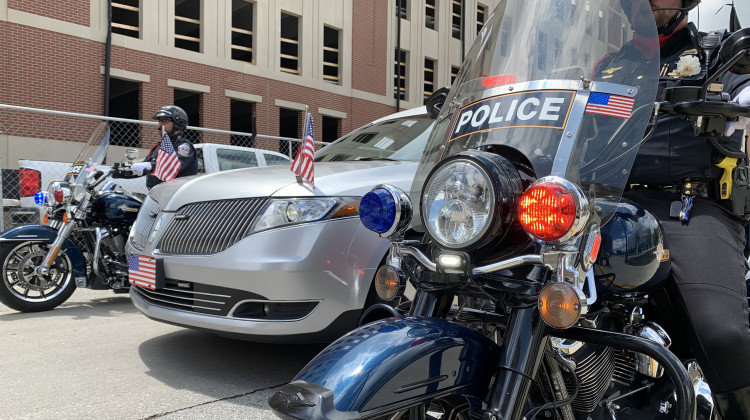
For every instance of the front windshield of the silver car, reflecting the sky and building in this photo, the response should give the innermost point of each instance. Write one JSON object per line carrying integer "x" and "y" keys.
{"x": 402, "y": 139}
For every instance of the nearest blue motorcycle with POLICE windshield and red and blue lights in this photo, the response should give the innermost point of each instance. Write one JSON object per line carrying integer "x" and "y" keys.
{"x": 533, "y": 274}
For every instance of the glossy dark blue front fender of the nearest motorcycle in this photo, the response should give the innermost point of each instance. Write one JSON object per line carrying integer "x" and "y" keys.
{"x": 389, "y": 363}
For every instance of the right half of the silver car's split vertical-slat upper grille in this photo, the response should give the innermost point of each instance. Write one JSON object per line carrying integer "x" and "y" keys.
{"x": 209, "y": 227}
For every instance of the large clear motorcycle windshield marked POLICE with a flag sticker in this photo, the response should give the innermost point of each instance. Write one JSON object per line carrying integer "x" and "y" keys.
{"x": 567, "y": 86}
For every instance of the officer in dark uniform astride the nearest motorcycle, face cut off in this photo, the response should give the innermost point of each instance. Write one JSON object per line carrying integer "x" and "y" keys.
{"x": 675, "y": 176}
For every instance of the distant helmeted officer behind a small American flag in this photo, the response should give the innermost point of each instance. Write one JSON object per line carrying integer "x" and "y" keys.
{"x": 173, "y": 120}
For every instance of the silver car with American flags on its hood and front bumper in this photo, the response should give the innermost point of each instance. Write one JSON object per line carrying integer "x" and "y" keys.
{"x": 253, "y": 254}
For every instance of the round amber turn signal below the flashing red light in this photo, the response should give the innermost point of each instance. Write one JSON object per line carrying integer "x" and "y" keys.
{"x": 561, "y": 305}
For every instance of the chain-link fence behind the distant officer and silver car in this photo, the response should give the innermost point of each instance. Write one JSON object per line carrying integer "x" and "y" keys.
{"x": 51, "y": 140}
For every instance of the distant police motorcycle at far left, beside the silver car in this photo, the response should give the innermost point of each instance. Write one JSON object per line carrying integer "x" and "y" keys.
{"x": 87, "y": 220}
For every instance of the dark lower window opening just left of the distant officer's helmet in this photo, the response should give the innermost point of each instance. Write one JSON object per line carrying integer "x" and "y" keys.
{"x": 124, "y": 100}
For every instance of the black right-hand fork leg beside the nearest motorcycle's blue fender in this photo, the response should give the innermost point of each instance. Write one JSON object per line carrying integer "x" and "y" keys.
{"x": 517, "y": 365}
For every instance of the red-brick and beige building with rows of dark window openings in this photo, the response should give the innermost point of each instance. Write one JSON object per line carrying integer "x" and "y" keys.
{"x": 350, "y": 61}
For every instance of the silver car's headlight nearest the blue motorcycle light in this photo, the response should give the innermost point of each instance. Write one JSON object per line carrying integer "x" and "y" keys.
{"x": 283, "y": 212}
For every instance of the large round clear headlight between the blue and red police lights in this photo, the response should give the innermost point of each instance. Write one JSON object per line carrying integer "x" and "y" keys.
{"x": 458, "y": 202}
